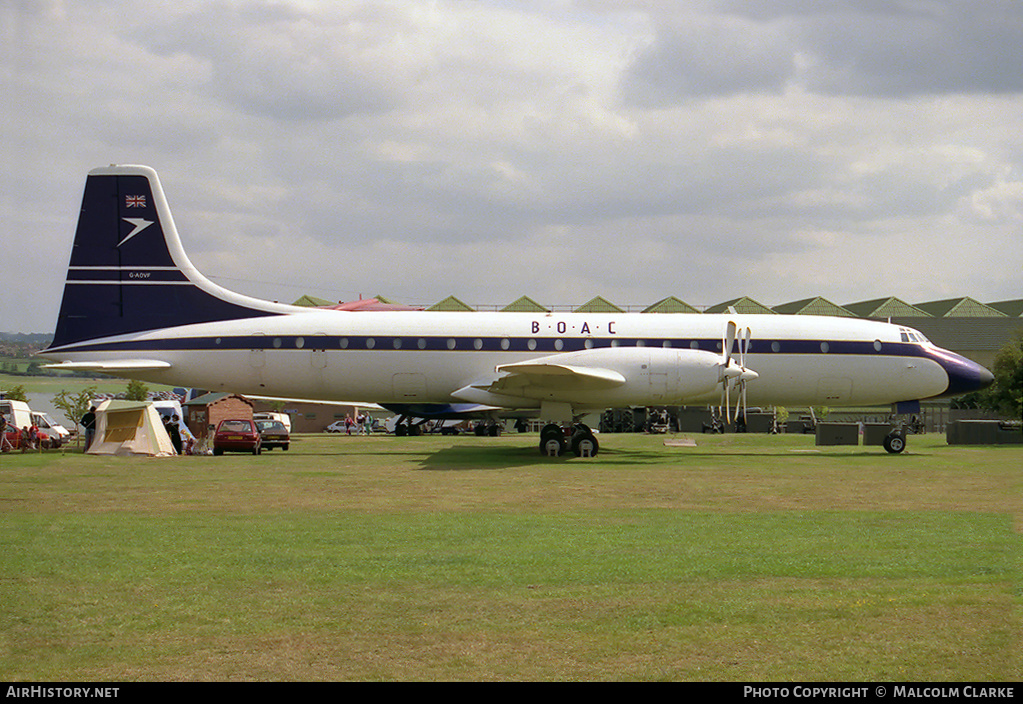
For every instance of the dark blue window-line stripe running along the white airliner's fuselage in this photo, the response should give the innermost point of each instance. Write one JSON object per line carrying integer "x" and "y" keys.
{"x": 494, "y": 344}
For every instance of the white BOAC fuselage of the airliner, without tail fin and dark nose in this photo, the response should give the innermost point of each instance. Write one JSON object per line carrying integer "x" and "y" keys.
{"x": 427, "y": 358}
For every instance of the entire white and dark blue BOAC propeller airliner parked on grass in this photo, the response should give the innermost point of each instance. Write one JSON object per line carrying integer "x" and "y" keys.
{"x": 137, "y": 307}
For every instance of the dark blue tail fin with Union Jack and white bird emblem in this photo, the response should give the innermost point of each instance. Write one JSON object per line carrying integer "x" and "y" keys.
{"x": 128, "y": 271}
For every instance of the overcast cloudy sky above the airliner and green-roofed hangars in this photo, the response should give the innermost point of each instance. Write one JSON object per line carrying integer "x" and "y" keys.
{"x": 705, "y": 150}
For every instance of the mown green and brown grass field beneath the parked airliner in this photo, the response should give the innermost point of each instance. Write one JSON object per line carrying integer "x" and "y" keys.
{"x": 745, "y": 558}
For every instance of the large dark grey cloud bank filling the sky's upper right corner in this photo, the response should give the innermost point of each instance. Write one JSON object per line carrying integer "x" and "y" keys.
{"x": 866, "y": 48}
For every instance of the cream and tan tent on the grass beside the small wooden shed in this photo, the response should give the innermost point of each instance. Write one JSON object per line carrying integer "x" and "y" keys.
{"x": 130, "y": 428}
